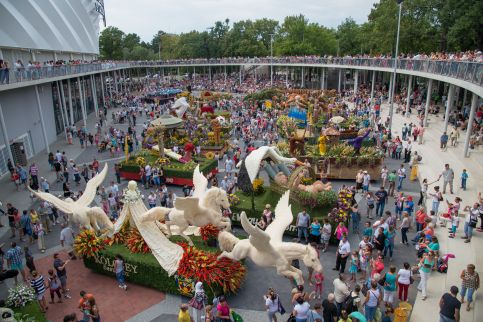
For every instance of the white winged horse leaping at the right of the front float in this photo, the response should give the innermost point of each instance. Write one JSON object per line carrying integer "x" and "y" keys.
{"x": 266, "y": 248}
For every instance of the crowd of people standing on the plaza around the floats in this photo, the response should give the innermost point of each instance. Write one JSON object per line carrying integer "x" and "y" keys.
{"x": 372, "y": 285}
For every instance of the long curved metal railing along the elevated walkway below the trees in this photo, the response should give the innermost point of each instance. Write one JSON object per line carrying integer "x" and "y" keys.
{"x": 463, "y": 70}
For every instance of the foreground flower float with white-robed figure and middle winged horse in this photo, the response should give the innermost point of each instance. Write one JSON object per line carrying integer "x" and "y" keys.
{"x": 153, "y": 259}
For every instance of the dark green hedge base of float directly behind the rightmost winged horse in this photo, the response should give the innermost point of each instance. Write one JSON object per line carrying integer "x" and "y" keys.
{"x": 272, "y": 197}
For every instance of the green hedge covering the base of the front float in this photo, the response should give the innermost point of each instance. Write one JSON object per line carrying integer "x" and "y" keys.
{"x": 148, "y": 271}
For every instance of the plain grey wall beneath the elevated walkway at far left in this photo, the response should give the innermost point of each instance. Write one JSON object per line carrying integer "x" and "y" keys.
{"x": 21, "y": 115}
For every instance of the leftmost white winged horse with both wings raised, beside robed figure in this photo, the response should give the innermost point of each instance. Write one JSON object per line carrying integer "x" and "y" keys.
{"x": 92, "y": 218}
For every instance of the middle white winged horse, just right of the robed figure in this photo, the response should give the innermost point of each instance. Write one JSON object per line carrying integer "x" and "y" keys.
{"x": 202, "y": 209}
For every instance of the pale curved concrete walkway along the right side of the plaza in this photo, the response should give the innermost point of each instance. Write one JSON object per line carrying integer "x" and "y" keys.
{"x": 433, "y": 160}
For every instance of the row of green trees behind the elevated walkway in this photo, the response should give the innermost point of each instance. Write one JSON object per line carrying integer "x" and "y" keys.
{"x": 426, "y": 26}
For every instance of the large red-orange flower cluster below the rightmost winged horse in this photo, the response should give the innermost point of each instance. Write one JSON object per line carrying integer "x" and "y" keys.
{"x": 207, "y": 268}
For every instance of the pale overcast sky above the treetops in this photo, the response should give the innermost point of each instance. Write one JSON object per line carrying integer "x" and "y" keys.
{"x": 146, "y": 17}
